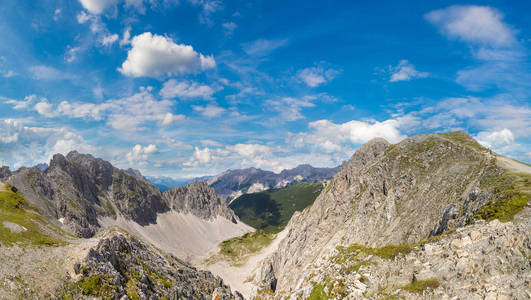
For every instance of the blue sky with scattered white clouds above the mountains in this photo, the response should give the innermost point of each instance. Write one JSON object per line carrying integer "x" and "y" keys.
{"x": 195, "y": 87}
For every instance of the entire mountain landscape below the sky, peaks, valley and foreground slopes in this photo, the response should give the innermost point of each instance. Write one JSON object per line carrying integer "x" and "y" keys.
{"x": 435, "y": 216}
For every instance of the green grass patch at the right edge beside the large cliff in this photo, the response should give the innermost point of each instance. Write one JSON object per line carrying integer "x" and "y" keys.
{"x": 512, "y": 192}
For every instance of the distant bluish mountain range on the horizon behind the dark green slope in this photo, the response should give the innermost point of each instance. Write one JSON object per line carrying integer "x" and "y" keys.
{"x": 233, "y": 183}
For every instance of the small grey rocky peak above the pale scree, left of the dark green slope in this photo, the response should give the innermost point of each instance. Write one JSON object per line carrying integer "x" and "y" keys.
{"x": 199, "y": 199}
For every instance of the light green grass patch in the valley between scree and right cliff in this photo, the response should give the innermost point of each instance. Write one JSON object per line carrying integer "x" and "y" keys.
{"x": 236, "y": 250}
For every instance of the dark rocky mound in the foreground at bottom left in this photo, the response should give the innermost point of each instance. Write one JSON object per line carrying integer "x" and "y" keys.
{"x": 121, "y": 265}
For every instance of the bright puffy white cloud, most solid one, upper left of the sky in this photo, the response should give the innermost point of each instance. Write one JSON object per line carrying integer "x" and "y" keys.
{"x": 158, "y": 56}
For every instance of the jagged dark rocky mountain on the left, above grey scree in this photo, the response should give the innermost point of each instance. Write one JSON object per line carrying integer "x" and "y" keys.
{"x": 78, "y": 188}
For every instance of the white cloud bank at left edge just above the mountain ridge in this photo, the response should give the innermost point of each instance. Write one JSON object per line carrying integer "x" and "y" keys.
{"x": 26, "y": 145}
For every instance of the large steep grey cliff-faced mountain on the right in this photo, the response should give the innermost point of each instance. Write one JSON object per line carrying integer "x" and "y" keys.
{"x": 386, "y": 195}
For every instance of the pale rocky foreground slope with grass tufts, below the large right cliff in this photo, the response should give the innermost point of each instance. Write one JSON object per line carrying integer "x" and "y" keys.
{"x": 482, "y": 261}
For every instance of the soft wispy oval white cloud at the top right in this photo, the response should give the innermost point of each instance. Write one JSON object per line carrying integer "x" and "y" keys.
{"x": 476, "y": 24}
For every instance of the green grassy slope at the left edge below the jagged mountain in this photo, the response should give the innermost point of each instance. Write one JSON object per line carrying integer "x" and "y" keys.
{"x": 34, "y": 229}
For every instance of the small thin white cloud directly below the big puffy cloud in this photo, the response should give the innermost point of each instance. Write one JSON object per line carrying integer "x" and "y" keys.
{"x": 186, "y": 90}
